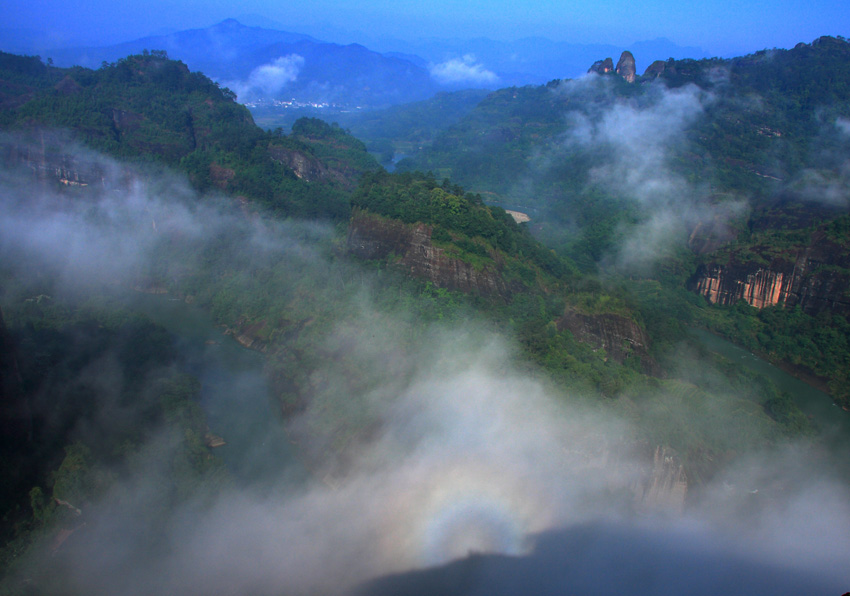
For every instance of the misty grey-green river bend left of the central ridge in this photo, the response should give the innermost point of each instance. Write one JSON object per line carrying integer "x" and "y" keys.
{"x": 235, "y": 394}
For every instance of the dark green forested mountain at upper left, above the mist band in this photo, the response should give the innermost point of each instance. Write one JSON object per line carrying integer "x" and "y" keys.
{"x": 147, "y": 108}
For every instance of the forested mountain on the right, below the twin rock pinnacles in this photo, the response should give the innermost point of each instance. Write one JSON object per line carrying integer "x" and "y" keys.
{"x": 725, "y": 176}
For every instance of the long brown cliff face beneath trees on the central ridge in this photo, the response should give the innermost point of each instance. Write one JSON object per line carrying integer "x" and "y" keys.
{"x": 374, "y": 237}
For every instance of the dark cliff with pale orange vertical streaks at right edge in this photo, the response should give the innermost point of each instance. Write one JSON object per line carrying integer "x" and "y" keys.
{"x": 816, "y": 277}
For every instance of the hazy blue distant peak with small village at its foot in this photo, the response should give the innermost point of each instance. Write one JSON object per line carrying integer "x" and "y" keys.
{"x": 266, "y": 64}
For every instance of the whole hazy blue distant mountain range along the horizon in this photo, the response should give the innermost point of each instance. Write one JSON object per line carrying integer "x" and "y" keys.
{"x": 260, "y": 63}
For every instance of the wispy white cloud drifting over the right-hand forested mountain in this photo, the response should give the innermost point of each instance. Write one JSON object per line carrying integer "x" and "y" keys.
{"x": 634, "y": 140}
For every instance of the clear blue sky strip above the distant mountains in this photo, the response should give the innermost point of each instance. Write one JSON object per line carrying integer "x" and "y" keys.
{"x": 721, "y": 27}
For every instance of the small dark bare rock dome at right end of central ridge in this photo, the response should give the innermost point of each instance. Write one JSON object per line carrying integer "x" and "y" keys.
{"x": 619, "y": 336}
